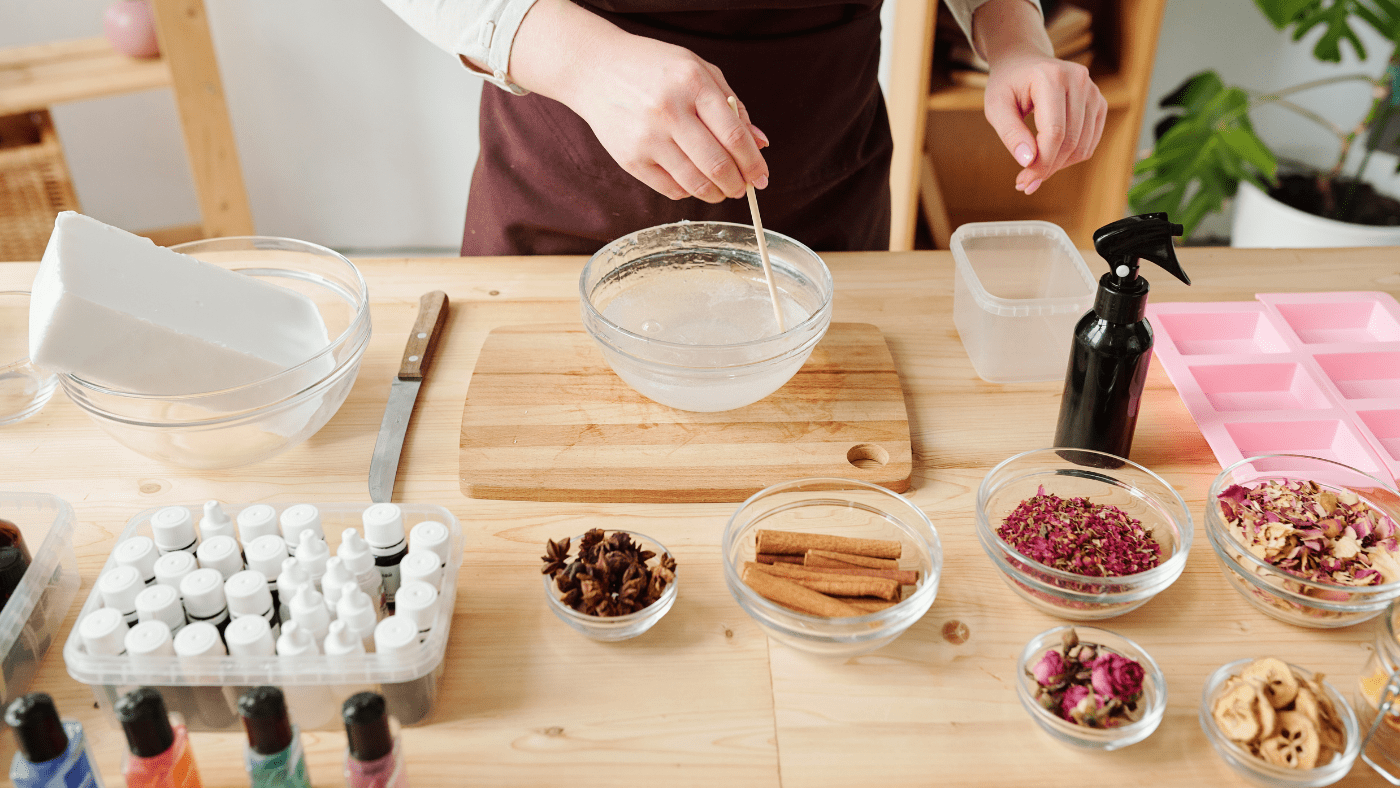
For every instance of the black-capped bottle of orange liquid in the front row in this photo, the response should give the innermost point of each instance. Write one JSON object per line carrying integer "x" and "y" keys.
{"x": 159, "y": 754}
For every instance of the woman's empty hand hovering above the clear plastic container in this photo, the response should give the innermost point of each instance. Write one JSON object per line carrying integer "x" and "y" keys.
{"x": 1028, "y": 80}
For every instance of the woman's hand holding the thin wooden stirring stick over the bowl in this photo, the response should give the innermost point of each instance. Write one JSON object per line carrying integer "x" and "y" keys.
{"x": 659, "y": 110}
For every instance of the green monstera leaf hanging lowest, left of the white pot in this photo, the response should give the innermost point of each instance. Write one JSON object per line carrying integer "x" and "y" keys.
{"x": 1205, "y": 150}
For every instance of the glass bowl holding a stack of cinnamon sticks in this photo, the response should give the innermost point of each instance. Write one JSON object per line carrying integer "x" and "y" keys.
{"x": 834, "y": 568}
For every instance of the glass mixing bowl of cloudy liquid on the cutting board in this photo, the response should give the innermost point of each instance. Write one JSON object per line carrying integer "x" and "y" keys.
{"x": 668, "y": 281}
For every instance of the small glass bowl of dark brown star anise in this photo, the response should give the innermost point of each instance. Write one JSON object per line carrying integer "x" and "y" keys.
{"x": 610, "y": 584}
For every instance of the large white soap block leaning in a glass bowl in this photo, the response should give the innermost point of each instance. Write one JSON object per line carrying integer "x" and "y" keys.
{"x": 120, "y": 311}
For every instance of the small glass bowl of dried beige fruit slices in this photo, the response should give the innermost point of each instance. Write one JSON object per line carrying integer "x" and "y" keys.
{"x": 1279, "y": 724}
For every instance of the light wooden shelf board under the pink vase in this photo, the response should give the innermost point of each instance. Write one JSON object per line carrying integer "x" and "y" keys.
{"x": 36, "y": 78}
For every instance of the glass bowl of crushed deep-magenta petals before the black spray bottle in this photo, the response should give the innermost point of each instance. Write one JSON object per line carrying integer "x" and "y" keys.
{"x": 1083, "y": 535}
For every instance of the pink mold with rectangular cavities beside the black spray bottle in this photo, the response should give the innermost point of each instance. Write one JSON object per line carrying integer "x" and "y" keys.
{"x": 1294, "y": 373}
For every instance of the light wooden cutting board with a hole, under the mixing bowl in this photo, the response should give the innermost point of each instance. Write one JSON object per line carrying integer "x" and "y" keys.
{"x": 548, "y": 421}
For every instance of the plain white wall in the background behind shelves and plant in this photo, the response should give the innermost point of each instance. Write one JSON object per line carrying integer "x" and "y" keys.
{"x": 358, "y": 134}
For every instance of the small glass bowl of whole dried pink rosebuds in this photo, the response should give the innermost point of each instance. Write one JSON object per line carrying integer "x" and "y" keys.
{"x": 1091, "y": 688}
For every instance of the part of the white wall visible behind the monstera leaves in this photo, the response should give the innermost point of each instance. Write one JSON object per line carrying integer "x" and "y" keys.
{"x": 1234, "y": 38}
